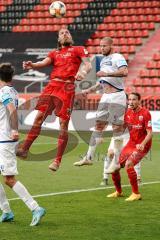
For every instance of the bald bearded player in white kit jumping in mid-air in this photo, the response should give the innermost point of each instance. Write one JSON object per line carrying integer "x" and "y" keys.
{"x": 112, "y": 105}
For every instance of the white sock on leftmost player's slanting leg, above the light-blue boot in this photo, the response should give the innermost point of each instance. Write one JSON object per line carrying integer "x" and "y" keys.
{"x": 22, "y": 192}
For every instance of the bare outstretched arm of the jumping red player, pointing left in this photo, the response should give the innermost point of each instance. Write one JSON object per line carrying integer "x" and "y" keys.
{"x": 30, "y": 65}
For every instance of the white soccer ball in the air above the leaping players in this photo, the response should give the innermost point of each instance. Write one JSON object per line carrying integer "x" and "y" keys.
{"x": 57, "y": 9}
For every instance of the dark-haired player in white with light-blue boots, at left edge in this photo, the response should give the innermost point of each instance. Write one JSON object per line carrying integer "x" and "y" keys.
{"x": 8, "y": 139}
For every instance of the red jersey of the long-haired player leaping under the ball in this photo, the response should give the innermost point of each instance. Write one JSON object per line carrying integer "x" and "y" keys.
{"x": 66, "y": 62}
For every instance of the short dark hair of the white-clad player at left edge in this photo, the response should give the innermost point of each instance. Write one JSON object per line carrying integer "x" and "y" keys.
{"x": 6, "y": 72}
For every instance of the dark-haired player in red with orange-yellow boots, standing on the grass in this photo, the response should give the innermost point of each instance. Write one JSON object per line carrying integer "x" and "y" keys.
{"x": 138, "y": 121}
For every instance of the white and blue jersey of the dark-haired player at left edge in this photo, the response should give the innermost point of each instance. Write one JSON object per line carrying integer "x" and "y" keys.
{"x": 7, "y": 95}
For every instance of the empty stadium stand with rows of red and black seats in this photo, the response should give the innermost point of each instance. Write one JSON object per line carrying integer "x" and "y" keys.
{"x": 131, "y": 24}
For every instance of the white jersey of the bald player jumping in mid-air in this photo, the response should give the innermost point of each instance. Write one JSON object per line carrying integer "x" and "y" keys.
{"x": 112, "y": 63}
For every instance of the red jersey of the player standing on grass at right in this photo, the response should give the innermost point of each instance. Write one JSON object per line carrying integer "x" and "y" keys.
{"x": 137, "y": 123}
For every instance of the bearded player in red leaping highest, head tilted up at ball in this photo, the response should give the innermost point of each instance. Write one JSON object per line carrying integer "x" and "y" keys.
{"x": 59, "y": 94}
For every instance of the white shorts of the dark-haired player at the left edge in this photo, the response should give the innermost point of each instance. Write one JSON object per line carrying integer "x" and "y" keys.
{"x": 8, "y": 161}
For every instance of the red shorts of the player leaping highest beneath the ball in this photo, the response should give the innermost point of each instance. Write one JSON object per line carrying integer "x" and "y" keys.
{"x": 57, "y": 97}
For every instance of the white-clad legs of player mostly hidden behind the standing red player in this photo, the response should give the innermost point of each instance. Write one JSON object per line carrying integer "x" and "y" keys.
{"x": 110, "y": 155}
